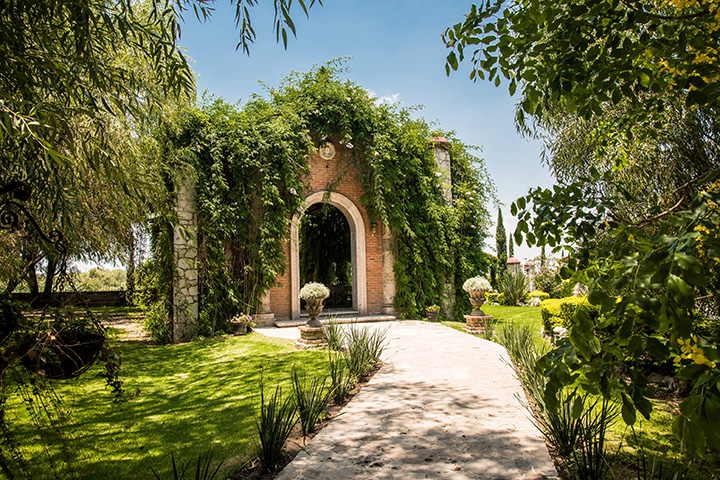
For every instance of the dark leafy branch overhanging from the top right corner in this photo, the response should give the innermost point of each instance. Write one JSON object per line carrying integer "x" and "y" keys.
{"x": 585, "y": 54}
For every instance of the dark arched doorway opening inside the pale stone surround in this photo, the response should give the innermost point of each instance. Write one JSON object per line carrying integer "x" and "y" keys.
{"x": 325, "y": 255}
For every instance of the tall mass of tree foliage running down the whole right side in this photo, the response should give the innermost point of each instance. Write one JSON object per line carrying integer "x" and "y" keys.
{"x": 622, "y": 89}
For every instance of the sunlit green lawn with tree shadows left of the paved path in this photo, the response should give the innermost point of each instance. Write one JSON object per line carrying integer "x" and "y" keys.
{"x": 191, "y": 397}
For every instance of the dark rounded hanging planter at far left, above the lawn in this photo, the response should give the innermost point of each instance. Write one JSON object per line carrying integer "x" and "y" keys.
{"x": 61, "y": 355}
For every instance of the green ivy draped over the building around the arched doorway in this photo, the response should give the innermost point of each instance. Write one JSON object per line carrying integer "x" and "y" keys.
{"x": 251, "y": 162}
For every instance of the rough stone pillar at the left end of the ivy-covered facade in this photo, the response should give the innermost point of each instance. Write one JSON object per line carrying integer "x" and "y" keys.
{"x": 185, "y": 288}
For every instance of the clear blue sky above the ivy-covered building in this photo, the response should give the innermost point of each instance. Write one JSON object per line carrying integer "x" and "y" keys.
{"x": 396, "y": 52}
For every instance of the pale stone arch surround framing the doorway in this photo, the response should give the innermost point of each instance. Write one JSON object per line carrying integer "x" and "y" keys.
{"x": 357, "y": 248}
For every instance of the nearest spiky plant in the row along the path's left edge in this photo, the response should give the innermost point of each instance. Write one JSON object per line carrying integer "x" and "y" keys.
{"x": 274, "y": 424}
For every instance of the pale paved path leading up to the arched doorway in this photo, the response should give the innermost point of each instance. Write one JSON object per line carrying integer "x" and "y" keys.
{"x": 442, "y": 406}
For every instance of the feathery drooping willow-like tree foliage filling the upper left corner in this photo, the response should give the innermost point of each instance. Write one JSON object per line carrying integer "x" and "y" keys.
{"x": 84, "y": 85}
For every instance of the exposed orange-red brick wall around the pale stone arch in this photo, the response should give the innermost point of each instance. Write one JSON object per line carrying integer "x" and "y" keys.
{"x": 323, "y": 174}
